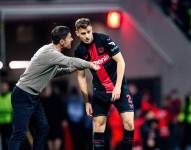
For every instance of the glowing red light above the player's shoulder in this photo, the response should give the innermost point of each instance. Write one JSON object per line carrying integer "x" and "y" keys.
{"x": 114, "y": 19}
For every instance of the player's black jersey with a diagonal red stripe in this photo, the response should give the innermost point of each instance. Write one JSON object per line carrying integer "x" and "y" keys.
{"x": 101, "y": 50}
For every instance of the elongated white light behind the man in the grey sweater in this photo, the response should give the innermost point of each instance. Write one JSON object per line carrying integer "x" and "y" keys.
{"x": 18, "y": 64}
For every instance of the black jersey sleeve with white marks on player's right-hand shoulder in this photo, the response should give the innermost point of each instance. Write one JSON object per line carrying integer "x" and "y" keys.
{"x": 110, "y": 46}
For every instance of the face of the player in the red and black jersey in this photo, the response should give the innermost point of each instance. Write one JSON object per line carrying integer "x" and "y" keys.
{"x": 85, "y": 35}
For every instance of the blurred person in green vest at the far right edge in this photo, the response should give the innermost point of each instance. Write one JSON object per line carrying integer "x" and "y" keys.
{"x": 185, "y": 119}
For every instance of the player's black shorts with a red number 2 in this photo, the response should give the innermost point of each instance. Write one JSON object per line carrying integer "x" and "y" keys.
{"x": 102, "y": 101}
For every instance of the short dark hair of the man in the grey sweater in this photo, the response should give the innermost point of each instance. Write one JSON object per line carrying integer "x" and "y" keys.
{"x": 58, "y": 33}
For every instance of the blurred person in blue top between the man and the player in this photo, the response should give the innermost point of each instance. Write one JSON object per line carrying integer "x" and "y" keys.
{"x": 76, "y": 119}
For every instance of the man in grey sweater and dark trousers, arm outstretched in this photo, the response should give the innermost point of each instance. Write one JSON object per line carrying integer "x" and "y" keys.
{"x": 46, "y": 63}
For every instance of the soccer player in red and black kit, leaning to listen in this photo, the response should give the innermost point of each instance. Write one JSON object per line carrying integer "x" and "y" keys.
{"x": 109, "y": 84}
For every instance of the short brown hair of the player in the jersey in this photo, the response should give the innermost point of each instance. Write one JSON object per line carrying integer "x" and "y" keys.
{"x": 82, "y": 23}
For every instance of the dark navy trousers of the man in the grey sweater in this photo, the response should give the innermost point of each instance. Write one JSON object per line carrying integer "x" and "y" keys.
{"x": 25, "y": 106}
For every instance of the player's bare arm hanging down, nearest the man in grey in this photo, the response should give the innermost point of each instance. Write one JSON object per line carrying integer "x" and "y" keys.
{"x": 84, "y": 89}
